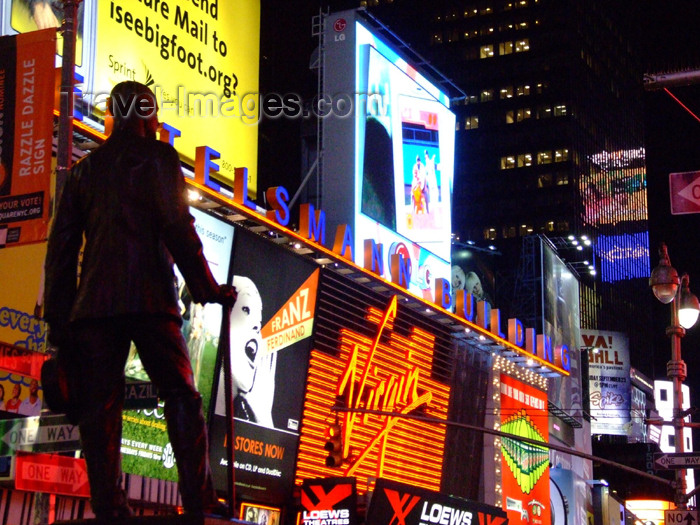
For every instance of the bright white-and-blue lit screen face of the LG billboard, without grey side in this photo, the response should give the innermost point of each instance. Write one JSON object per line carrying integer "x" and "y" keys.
{"x": 404, "y": 160}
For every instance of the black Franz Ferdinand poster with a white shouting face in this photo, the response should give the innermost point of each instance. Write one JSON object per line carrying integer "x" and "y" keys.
{"x": 270, "y": 336}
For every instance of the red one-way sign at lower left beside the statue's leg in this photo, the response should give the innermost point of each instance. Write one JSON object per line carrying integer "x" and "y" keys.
{"x": 52, "y": 473}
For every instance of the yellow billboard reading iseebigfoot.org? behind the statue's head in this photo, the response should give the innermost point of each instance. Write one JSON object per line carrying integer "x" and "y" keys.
{"x": 201, "y": 58}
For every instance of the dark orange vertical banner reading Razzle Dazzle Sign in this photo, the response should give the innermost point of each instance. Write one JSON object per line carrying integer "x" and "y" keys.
{"x": 26, "y": 131}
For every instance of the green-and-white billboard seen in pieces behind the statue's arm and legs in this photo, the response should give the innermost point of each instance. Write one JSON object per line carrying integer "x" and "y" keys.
{"x": 146, "y": 449}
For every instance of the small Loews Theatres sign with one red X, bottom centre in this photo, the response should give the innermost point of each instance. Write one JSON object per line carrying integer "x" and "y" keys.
{"x": 328, "y": 500}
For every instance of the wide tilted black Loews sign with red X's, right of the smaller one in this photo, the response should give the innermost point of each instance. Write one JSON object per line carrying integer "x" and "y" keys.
{"x": 394, "y": 502}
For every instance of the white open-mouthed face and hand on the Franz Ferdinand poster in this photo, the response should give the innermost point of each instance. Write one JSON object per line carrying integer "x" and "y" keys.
{"x": 252, "y": 368}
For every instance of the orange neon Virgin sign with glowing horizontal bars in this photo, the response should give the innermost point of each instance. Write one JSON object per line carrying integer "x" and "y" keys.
{"x": 387, "y": 372}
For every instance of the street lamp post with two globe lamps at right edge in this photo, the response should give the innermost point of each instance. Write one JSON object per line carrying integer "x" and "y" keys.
{"x": 668, "y": 287}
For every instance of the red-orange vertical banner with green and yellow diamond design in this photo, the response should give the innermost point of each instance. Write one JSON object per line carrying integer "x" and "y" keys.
{"x": 525, "y": 466}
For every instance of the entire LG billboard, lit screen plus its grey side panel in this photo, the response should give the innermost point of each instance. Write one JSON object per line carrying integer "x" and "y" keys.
{"x": 388, "y": 170}
